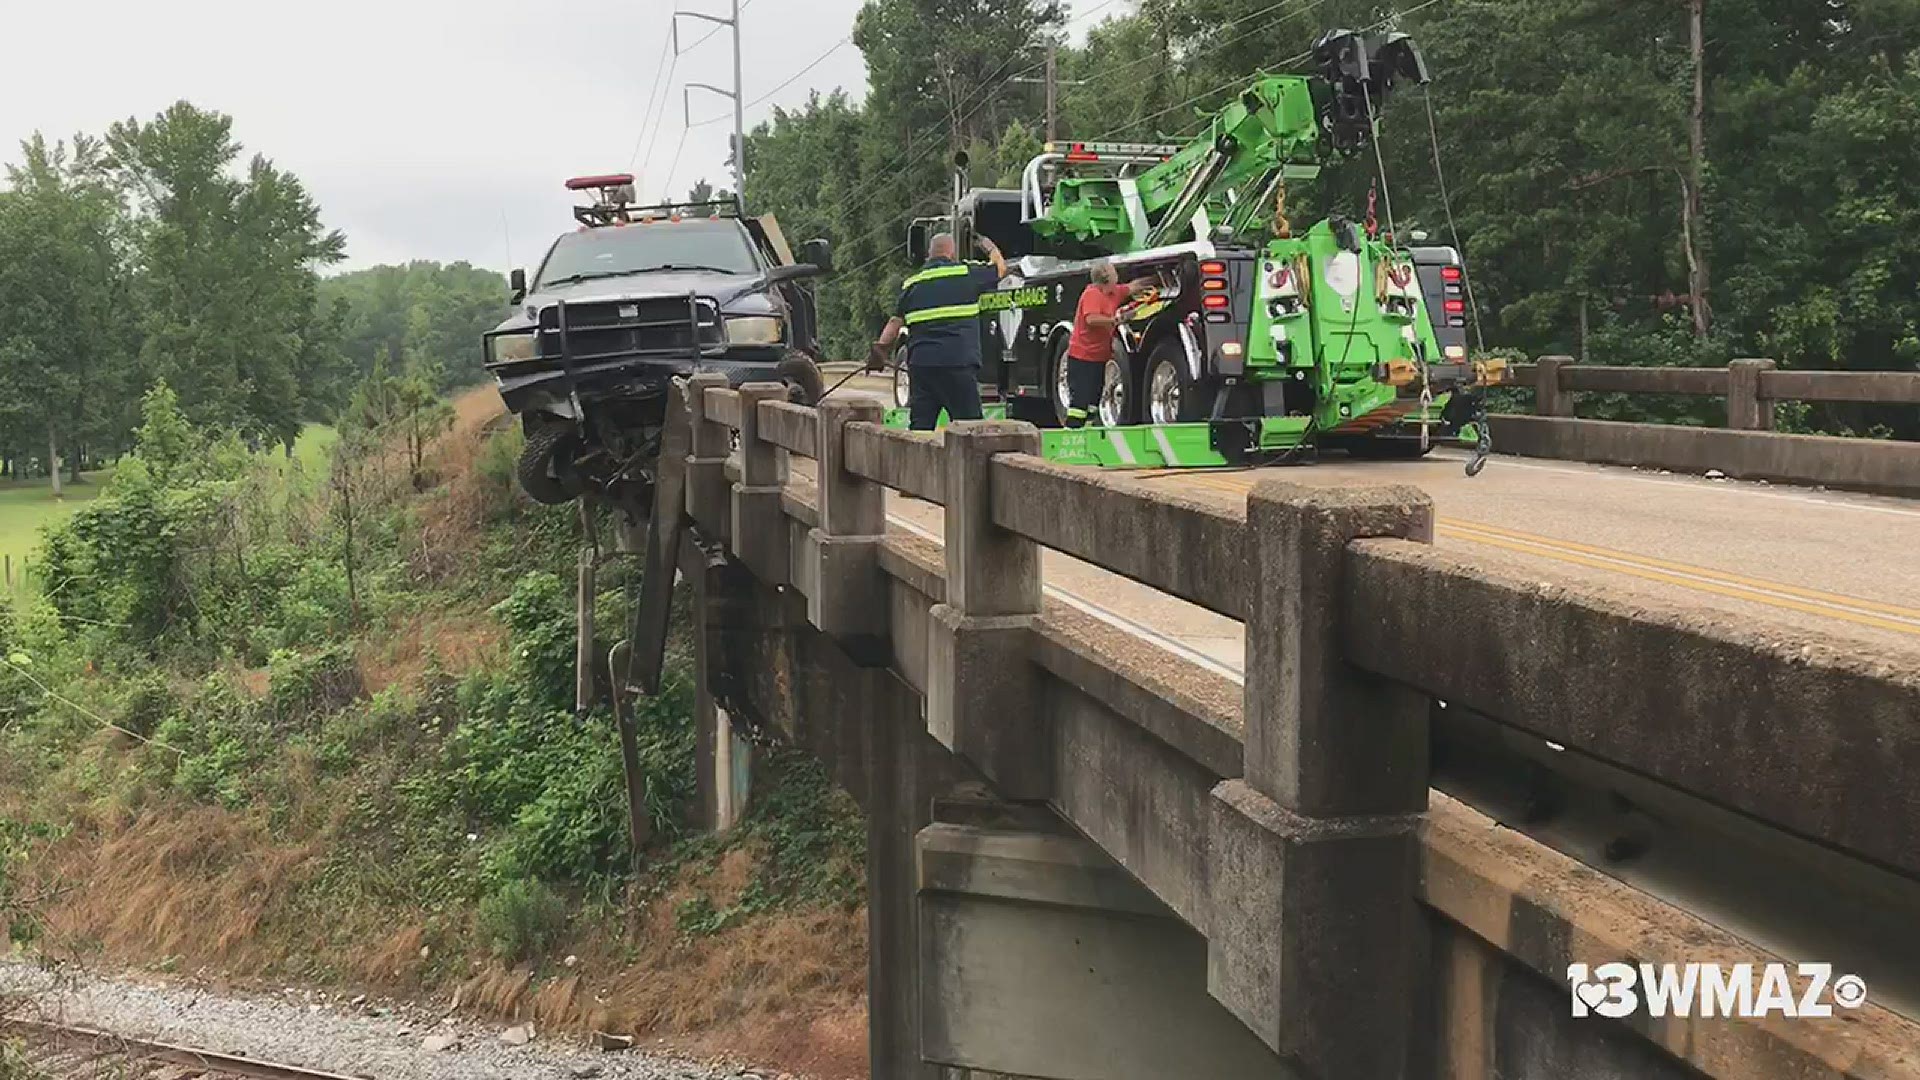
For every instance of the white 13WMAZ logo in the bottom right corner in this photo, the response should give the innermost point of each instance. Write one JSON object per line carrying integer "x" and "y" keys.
{"x": 1618, "y": 991}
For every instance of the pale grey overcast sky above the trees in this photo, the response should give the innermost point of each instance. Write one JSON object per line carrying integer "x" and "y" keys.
{"x": 427, "y": 130}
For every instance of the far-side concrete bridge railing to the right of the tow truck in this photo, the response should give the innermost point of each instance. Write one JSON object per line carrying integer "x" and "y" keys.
{"x": 1746, "y": 449}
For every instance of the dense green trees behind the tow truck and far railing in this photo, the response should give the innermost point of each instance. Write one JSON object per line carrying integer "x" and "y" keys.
{"x": 1564, "y": 128}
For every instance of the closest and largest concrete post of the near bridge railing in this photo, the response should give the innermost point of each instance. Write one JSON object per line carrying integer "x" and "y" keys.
{"x": 1312, "y": 860}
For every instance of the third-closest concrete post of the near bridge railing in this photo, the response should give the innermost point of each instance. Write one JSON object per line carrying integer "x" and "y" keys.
{"x": 848, "y": 599}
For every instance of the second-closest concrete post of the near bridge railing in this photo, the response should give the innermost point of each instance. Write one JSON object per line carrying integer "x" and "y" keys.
{"x": 982, "y": 685}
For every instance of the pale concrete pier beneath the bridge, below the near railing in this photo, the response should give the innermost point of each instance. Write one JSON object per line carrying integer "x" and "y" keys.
{"x": 1042, "y": 958}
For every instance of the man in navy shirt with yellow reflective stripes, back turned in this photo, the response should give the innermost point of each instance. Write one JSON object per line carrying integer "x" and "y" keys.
{"x": 940, "y": 307}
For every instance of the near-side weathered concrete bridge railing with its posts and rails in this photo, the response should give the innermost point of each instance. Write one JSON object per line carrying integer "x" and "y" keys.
{"x": 1305, "y": 841}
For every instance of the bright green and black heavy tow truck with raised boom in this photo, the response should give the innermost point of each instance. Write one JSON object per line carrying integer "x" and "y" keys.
{"x": 1257, "y": 345}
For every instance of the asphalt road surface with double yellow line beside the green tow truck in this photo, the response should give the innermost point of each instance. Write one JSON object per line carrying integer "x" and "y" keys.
{"x": 1829, "y": 562}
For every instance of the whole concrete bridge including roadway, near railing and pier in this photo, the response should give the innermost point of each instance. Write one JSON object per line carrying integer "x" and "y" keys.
{"x": 1320, "y": 773}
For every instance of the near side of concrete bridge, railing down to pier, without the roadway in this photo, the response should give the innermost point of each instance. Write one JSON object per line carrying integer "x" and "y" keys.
{"x": 1095, "y": 860}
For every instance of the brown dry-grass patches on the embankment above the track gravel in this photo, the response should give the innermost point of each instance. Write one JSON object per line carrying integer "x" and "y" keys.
{"x": 266, "y": 895}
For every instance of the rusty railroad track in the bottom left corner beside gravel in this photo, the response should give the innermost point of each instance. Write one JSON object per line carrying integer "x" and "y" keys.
{"x": 66, "y": 1052}
